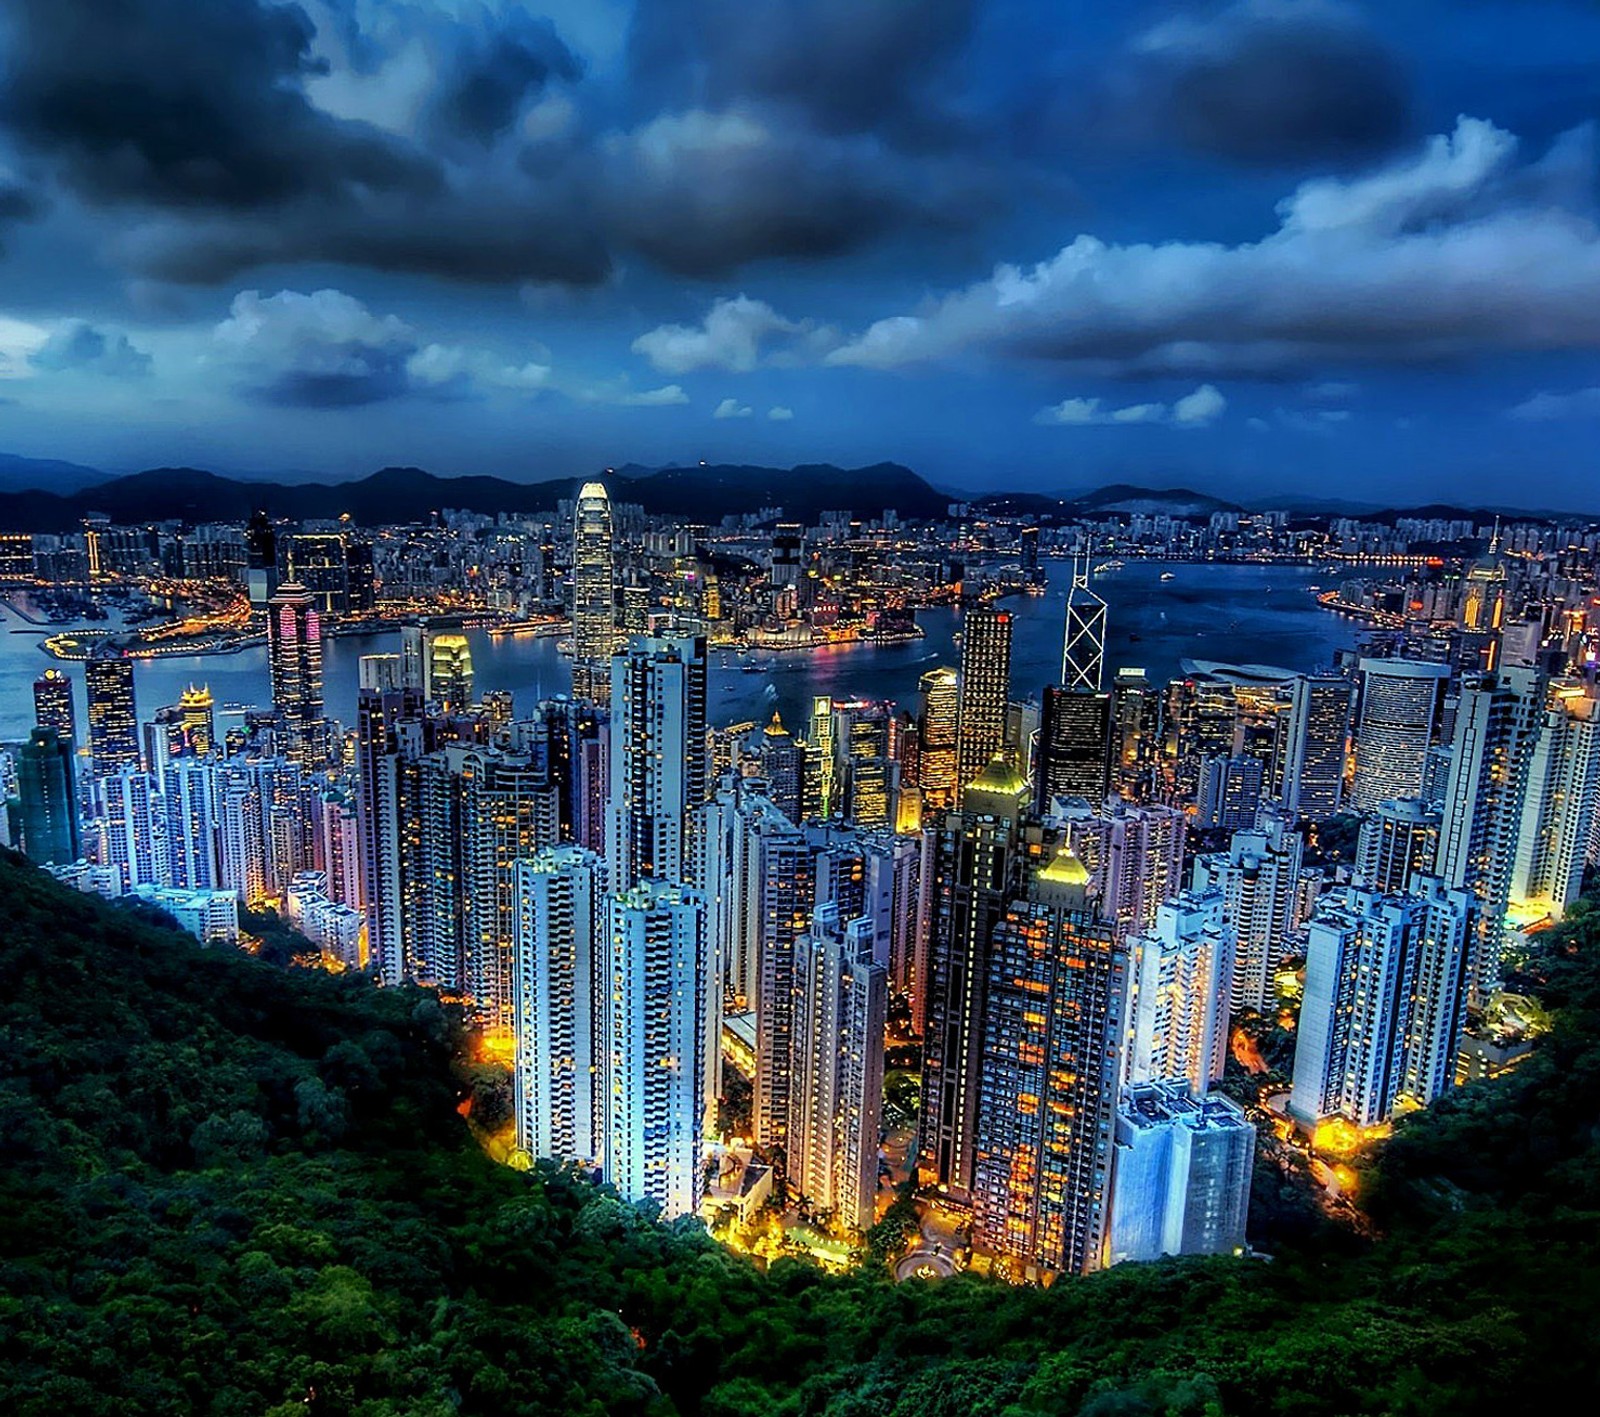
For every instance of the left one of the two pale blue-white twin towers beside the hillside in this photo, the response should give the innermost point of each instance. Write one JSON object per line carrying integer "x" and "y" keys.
{"x": 559, "y": 992}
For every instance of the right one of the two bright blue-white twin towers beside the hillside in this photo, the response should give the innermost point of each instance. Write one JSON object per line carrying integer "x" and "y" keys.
{"x": 655, "y": 1045}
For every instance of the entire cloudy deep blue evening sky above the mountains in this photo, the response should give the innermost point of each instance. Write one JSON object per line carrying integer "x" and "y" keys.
{"x": 1271, "y": 245}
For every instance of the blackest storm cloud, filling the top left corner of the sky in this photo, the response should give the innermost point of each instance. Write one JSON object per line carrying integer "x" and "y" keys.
{"x": 188, "y": 103}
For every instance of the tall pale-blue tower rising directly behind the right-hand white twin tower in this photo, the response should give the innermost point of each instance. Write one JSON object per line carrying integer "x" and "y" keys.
{"x": 658, "y": 759}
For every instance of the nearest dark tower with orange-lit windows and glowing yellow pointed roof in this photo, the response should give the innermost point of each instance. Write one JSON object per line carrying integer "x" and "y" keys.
{"x": 1052, "y": 1069}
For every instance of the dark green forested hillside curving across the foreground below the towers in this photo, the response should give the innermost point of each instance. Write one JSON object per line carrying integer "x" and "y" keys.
{"x": 236, "y": 1189}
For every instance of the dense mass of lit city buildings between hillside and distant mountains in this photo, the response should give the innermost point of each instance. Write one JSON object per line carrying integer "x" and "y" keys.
{"x": 1066, "y": 893}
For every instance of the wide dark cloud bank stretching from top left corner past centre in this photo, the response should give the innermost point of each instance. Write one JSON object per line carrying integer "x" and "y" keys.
{"x": 201, "y": 121}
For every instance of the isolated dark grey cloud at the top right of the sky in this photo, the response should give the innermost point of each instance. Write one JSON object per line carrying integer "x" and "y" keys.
{"x": 1271, "y": 82}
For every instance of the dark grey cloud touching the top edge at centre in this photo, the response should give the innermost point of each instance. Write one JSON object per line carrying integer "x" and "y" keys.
{"x": 850, "y": 65}
